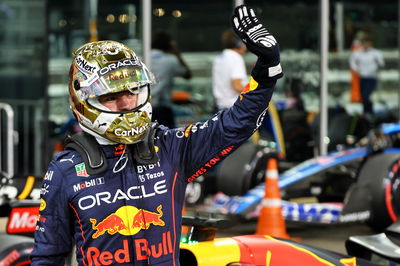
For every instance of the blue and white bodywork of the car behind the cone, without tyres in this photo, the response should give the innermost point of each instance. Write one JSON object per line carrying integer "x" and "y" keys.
{"x": 247, "y": 205}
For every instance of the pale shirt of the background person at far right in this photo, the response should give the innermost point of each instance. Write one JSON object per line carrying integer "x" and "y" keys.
{"x": 366, "y": 62}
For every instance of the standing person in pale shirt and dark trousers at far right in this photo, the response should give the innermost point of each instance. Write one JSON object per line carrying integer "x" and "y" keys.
{"x": 366, "y": 63}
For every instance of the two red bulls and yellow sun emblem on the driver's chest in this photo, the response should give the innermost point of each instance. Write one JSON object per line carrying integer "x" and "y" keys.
{"x": 127, "y": 220}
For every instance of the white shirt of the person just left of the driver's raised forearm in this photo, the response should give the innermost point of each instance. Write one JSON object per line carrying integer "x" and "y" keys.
{"x": 227, "y": 66}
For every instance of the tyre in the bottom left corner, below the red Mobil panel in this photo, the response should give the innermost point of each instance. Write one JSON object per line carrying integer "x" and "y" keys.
{"x": 15, "y": 250}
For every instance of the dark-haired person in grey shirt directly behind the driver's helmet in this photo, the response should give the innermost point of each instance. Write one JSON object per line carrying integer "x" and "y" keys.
{"x": 166, "y": 63}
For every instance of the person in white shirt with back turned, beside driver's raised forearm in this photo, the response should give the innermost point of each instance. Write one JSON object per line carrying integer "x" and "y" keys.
{"x": 229, "y": 71}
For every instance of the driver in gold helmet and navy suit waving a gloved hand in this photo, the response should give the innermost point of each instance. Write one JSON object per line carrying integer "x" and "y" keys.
{"x": 118, "y": 189}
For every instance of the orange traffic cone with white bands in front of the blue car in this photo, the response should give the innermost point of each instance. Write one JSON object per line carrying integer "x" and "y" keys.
{"x": 270, "y": 221}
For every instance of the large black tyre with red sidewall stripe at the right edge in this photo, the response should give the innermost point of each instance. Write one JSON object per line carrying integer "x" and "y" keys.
{"x": 380, "y": 175}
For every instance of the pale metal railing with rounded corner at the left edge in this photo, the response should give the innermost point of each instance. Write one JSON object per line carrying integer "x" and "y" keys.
{"x": 7, "y": 141}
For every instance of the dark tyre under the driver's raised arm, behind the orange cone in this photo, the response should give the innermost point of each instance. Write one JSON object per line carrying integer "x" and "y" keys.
{"x": 242, "y": 170}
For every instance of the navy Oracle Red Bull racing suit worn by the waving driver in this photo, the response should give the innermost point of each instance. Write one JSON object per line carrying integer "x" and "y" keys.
{"x": 131, "y": 214}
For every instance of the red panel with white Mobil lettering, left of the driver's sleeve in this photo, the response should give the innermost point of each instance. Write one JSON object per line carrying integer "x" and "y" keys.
{"x": 23, "y": 220}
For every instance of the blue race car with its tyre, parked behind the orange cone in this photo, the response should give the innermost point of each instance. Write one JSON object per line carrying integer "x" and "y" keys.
{"x": 355, "y": 184}
